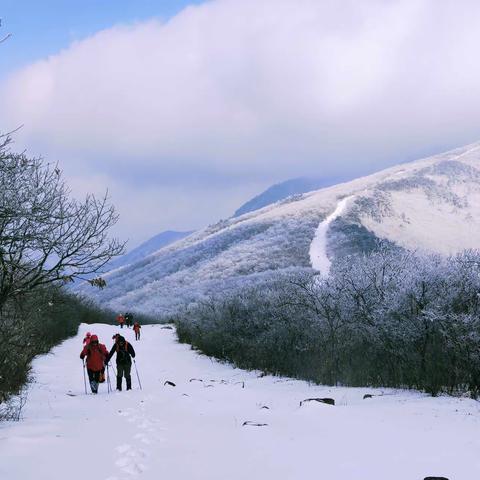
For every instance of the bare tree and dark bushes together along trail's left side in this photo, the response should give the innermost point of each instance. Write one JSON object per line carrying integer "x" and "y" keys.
{"x": 48, "y": 239}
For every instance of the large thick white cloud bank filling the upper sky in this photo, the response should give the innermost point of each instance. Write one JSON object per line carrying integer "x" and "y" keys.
{"x": 258, "y": 86}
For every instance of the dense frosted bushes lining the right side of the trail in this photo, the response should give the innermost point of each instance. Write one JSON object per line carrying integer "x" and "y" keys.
{"x": 390, "y": 318}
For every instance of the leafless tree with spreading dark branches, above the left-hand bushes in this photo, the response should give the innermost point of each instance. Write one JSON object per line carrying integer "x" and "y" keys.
{"x": 47, "y": 237}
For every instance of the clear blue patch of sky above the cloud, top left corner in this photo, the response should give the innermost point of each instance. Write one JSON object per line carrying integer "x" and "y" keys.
{"x": 43, "y": 27}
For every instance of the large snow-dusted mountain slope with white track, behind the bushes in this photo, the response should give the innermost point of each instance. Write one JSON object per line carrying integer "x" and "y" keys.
{"x": 431, "y": 204}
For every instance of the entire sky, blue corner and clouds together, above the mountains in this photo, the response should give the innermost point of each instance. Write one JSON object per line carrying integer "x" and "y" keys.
{"x": 184, "y": 110}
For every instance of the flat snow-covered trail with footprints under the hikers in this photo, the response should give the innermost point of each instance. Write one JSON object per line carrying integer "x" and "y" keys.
{"x": 195, "y": 429}
